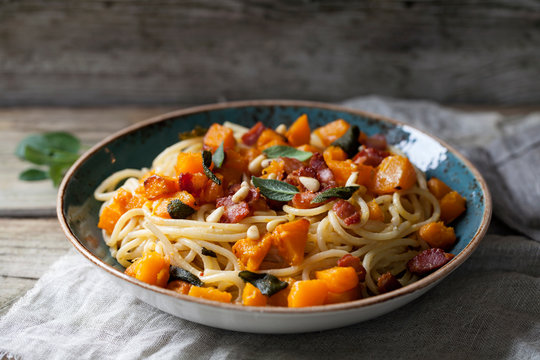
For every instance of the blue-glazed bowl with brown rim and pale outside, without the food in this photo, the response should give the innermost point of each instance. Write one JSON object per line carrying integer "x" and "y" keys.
{"x": 136, "y": 147}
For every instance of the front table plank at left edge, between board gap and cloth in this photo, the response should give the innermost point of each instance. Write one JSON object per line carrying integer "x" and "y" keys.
{"x": 27, "y": 248}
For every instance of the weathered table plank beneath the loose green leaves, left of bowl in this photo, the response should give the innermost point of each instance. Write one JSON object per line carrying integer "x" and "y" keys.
{"x": 20, "y": 198}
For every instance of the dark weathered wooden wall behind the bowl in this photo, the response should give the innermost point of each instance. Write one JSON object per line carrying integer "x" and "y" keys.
{"x": 90, "y": 52}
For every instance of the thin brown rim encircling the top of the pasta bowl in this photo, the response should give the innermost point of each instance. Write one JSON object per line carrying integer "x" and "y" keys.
{"x": 418, "y": 285}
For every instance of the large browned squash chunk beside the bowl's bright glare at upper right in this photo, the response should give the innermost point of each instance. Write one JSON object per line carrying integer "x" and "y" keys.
{"x": 393, "y": 173}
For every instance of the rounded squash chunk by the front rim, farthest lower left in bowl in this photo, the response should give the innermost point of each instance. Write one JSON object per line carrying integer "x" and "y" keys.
{"x": 152, "y": 268}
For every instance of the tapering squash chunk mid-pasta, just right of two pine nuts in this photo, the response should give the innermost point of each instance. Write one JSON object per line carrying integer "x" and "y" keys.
{"x": 290, "y": 240}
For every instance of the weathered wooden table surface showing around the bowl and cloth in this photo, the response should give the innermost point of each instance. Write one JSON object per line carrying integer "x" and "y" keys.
{"x": 31, "y": 238}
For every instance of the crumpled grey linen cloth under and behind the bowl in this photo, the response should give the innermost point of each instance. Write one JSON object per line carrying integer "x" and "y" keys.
{"x": 487, "y": 309}
